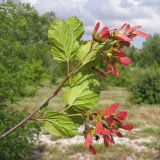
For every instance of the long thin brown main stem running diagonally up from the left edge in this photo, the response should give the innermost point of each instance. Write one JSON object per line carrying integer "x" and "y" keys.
{"x": 29, "y": 116}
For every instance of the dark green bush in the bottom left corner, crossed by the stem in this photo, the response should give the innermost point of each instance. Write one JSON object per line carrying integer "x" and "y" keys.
{"x": 20, "y": 143}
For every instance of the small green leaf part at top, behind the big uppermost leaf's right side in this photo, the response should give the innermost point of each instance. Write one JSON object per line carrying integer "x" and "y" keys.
{"x": 77, "y": 26}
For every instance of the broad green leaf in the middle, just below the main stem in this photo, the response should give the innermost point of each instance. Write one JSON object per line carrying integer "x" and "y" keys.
{"x": 82, "y": 94}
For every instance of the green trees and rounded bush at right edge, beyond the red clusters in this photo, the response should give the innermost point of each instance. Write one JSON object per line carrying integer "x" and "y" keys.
{"x": 146, "y": 79}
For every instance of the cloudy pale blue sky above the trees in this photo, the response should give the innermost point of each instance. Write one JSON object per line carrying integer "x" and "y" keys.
{"x": 109, "y": 12}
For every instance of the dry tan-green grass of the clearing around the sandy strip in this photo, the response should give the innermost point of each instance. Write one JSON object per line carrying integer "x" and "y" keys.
{"x": 145, "y": 119}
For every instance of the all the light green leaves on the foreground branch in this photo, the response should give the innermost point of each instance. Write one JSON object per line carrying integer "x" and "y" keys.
{"x": 82, "y": 91}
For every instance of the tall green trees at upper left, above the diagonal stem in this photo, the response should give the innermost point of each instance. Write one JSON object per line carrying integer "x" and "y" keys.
{"x": 24, "y": 50}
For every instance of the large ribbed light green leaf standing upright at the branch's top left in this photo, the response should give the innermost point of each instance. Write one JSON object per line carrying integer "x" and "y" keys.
{"x": 64, "y": 41}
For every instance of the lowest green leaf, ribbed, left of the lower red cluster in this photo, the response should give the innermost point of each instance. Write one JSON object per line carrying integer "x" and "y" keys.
{"x": 59, "y": 124}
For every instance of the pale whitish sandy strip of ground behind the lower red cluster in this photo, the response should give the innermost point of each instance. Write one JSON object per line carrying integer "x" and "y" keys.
{"x": 137, "y": 144}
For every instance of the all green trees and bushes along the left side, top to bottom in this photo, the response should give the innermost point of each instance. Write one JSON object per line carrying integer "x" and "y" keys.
{"x": 25, "y": 61}
